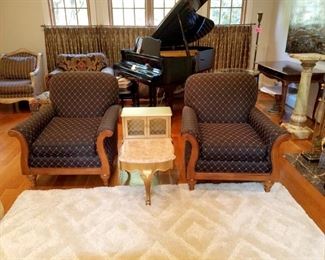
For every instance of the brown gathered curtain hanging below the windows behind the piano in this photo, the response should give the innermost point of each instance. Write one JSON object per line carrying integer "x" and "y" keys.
{"x": 231, "y": 43}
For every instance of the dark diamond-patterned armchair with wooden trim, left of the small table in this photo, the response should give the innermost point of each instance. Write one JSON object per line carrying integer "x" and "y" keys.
{"x": 77, "y": 132}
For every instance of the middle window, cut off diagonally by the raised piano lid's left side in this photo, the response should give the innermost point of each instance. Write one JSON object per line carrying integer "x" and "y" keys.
{"x": 139, "y": 12}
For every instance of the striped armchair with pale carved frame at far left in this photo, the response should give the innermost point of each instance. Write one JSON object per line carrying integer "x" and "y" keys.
{"x": 21, "y": 76}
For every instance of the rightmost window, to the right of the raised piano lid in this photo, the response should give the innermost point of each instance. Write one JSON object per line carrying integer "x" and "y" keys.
{"x": 227, "y": 11}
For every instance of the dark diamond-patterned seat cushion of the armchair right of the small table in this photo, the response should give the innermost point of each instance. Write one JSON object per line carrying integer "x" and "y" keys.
{"x": 230, "y": 142}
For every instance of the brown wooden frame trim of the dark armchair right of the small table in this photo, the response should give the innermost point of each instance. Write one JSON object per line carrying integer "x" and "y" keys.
{"x": 193, "y": 176}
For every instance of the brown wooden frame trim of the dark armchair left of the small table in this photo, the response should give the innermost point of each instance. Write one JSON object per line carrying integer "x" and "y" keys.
{"x": 104, "y": 171}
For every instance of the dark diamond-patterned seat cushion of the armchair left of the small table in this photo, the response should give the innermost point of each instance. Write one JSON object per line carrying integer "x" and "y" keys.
{"x": 68, "y": 137}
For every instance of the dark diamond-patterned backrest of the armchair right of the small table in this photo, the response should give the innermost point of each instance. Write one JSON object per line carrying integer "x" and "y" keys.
{"x": 221, "y": 97}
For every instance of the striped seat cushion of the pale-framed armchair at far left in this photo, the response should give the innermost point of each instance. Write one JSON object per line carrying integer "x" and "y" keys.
{"x": 15, "y": 87}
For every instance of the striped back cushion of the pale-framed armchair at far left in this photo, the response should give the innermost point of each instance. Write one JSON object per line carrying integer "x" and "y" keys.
{"x": 17, "y": 67}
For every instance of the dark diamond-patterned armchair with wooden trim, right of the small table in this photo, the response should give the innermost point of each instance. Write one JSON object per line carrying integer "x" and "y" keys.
{"x": 225, "y": 137}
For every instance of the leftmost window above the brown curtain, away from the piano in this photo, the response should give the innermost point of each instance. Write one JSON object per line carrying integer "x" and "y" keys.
{"x": 69, "y": 12}
